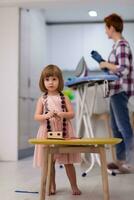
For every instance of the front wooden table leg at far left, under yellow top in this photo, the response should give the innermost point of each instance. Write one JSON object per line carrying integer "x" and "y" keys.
{"x": 44, "y": 174}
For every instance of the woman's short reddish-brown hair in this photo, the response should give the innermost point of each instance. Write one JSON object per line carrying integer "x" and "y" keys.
{"x": 114, "y": 20}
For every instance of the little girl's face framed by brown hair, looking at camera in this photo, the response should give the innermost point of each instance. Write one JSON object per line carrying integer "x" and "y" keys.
{"x": 51, "y": 83}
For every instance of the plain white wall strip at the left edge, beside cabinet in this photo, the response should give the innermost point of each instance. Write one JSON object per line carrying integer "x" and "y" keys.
{"x": 9, "y": 20}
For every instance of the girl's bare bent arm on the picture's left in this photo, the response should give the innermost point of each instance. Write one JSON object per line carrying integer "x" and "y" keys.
{"x": 39, "y": 115}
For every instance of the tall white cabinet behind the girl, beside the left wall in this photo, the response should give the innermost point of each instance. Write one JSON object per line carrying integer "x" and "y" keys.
{"x": 32, "y": 60}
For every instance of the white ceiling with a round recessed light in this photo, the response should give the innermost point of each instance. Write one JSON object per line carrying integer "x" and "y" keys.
{"x": 76, "y": 10}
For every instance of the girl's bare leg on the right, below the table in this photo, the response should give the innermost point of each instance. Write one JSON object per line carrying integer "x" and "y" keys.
{"x": 70, "y": 170}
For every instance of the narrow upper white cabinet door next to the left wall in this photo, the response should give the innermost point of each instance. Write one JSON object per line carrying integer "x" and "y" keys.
{"x": 24, "y": 69}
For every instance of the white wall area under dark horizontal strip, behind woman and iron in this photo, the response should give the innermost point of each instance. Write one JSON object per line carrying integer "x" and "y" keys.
{"x": 68, "y": 43}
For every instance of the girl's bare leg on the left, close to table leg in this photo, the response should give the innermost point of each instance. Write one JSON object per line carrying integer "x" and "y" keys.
{"x": 53, "y": 184}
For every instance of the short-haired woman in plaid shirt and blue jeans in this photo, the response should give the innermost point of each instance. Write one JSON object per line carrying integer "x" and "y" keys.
{"x": 120, "y": 63}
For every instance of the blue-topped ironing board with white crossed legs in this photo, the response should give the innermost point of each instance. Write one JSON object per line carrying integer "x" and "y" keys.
{"x": 84, "y": 110}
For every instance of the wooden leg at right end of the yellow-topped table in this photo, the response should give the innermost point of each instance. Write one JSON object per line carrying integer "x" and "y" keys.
{"x": 104, "y": 172}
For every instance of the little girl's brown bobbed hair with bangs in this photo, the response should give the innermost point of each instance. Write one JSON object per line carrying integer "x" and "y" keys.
{"x": 51, "y": 70}
